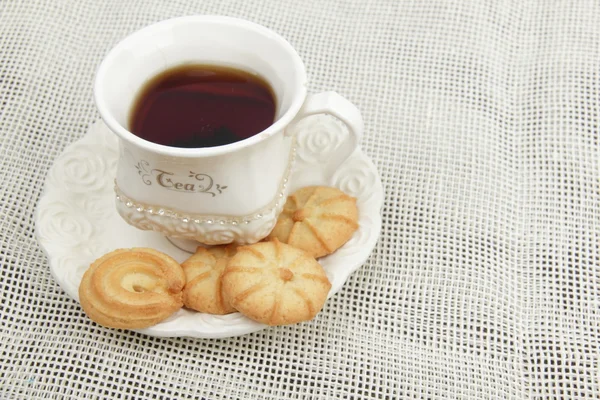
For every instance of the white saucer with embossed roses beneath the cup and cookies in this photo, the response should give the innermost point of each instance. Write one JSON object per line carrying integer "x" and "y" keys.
{"x": 77, "y": 222}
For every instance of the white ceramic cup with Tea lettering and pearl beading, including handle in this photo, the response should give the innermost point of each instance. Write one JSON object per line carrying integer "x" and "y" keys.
{"x": 214, "y": 195}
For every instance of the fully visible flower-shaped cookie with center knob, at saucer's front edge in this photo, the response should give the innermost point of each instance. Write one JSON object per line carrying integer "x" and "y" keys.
{"x": 276, "y": 284}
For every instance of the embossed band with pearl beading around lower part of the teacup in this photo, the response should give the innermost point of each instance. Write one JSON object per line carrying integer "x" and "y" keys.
{"x": 181, "y": 224}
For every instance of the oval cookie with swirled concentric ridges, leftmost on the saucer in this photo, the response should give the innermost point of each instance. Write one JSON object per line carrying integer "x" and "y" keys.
{"x": 132, "y": 288}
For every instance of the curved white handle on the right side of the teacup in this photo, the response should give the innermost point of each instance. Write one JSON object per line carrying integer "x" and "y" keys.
{"x": 333, "y": 104}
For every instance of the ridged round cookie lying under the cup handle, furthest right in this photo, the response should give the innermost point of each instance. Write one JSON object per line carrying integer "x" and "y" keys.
{"x": 317, "y": 219}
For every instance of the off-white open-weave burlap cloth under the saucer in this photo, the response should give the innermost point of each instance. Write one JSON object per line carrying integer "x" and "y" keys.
{"x": 482, "y": 119}
